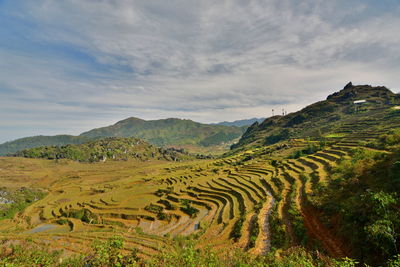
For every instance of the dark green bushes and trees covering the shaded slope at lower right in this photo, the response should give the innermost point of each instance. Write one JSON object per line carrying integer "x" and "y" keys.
{"x": 364, "y": 195}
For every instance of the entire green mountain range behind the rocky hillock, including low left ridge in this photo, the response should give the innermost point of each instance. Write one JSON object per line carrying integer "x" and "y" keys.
{"x": 164, "y": 132}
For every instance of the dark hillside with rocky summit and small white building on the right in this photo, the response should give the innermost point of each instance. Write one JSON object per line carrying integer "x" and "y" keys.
{"x": 337, "y": 116}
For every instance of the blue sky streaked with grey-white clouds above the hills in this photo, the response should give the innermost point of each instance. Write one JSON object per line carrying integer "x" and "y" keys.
{"x": 67, "y": 66}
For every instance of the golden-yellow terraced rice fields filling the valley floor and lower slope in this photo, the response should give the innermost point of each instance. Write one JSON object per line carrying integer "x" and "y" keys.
{"x": 253, "y": 200}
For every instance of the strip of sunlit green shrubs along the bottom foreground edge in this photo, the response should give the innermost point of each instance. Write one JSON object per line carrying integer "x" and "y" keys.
{"x": 110, "y": 253}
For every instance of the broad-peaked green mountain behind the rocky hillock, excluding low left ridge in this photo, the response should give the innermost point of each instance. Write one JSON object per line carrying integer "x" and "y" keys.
{"x": 169, "y": 132}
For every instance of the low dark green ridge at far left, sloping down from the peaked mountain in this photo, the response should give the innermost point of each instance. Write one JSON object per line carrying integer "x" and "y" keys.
{"x": 37, "y": 141}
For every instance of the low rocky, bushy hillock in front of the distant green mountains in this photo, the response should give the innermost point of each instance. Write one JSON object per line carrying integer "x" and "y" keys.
{"x": 110, "y": 148}
